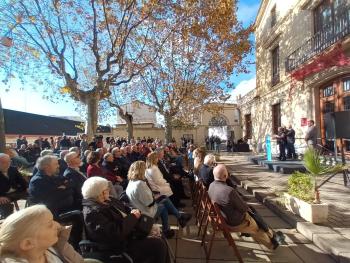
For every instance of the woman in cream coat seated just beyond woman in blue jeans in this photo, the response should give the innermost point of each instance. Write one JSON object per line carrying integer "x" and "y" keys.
{"x": 155, "y": 177}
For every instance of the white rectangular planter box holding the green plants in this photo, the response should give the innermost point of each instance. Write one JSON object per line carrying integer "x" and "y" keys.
{"x": 314, "y": 213}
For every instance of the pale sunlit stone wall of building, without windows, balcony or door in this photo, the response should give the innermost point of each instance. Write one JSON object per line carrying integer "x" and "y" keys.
{"x": 294, "y": 26}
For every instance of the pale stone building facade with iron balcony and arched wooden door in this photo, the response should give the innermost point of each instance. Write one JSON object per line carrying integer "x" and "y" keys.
{"x": 302, "y": 68}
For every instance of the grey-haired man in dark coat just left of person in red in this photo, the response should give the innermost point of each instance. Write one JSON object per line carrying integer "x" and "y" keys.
{"x": 75, "y": 178}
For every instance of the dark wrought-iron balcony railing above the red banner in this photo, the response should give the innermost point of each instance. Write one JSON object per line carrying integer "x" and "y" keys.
{"x": 335, "y": 31}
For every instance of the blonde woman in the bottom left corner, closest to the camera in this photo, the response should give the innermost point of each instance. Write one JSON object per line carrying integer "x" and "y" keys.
{"x": 31, "y": 235}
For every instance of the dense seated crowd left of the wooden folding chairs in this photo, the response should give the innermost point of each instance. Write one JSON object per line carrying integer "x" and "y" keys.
{"x": 64, "y": 165}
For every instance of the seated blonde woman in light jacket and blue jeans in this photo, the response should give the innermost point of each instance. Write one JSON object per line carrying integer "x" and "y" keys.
{"x": 154, "y": 205}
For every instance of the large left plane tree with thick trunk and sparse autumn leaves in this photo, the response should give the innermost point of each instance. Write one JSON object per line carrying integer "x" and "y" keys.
{"x": 80, "y": 48}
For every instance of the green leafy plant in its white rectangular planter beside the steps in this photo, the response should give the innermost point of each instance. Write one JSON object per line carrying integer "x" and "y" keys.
{"x": 303, "y": 197}
